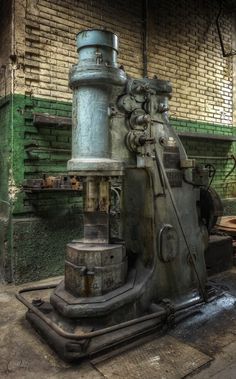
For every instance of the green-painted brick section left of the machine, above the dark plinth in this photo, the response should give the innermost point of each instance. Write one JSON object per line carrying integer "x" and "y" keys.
{"x": 48, "y": 154}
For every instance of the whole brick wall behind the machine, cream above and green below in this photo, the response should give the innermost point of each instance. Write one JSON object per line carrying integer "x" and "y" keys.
{"x": 182, "y": 46}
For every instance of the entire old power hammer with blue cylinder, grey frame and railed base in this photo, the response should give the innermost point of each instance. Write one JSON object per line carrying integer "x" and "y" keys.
{"x": 118, "y": 288}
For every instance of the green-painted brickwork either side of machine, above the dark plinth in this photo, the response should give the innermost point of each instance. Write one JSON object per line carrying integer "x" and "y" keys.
{"x": 35, "y": 164}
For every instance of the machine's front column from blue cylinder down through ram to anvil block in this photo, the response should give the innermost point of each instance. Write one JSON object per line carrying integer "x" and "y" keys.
{"x": 94, "y": 265}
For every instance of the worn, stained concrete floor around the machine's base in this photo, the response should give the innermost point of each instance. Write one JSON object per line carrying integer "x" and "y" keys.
{"x": 209, "y": 337}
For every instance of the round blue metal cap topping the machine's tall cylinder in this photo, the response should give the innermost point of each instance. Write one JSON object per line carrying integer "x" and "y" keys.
{"x": 96, "y": 37}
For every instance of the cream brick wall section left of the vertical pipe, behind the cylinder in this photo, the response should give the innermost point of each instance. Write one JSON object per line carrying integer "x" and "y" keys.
{"x": 49, "y": 50}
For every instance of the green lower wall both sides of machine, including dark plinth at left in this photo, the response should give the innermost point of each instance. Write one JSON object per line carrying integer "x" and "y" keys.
{"x": 34, "y": 230}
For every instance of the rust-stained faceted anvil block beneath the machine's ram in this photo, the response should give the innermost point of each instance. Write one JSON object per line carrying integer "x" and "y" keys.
{"x": 94, "y": 269}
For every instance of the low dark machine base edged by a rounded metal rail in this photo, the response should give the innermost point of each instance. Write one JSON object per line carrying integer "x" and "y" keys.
{"x": 74, "y": 339}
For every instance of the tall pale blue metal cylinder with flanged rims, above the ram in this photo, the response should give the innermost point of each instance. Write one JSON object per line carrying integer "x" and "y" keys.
{"x": 93, "y": 81}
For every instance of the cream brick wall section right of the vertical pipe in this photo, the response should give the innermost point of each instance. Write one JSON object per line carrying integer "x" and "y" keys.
{"x": 184, "y": 47}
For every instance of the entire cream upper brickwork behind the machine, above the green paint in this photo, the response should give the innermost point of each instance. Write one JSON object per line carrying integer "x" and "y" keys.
{"x": 183, "y": 46}
